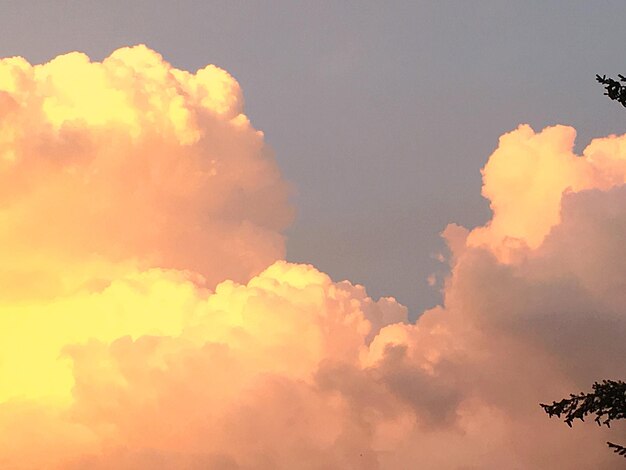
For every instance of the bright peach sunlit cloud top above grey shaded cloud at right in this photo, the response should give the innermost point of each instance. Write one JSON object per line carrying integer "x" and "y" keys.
{"x": 527, "y": 176}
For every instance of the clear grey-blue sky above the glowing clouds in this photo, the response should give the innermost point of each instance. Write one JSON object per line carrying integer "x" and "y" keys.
{"x": 359, "y": 101}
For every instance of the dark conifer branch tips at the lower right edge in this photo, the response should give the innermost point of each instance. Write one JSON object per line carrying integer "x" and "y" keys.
{"x": 607, "y": 402}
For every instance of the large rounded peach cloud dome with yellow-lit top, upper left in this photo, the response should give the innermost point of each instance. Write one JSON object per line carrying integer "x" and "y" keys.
{"x": 131, "y": 160}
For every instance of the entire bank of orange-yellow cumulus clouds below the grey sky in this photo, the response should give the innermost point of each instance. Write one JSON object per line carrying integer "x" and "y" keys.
{"x": 148, "y": 321}
